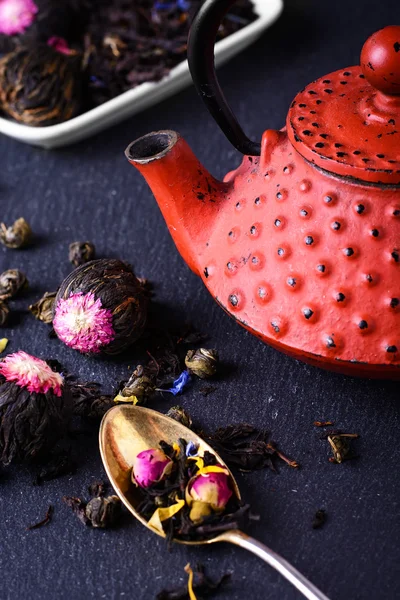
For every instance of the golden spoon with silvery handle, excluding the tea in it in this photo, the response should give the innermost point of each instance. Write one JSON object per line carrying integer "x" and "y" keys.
{"x": 127, "y": 430}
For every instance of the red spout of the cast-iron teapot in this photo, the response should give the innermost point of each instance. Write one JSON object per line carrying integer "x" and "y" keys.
{"x": 187, "y": 194}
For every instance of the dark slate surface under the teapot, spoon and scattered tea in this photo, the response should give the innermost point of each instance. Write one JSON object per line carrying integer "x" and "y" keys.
{"x": 90, "y": 192}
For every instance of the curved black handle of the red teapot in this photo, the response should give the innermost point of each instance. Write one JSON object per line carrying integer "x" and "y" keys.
{"x": 202, "y": 36}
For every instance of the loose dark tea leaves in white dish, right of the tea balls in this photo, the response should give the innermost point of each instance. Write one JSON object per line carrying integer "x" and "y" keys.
{"x": 128, "y": 43}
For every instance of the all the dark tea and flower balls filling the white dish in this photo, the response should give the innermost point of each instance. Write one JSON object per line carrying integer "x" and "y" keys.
{"x": 67, "y": 56}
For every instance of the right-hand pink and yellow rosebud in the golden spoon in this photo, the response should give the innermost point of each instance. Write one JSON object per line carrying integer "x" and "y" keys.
{"x": 207, "y": 493}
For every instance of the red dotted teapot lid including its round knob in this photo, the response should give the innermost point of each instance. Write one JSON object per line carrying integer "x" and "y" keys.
{"x": 348, "y": 122}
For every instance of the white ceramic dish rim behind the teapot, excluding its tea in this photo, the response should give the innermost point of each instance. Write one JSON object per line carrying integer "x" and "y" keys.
{"x": 142, "y": 96}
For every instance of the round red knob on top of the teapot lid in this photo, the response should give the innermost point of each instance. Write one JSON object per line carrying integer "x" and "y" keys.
{"x": 380, "y": 60}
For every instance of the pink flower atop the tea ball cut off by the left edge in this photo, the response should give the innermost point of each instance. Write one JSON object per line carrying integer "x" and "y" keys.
{"x": 32, "y": 373}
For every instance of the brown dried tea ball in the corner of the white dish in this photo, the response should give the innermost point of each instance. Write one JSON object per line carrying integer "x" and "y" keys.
{"x": 40, "y": 86}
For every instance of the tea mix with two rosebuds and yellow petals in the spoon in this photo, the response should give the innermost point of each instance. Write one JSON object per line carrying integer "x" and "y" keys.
{"x": 174, "y": 481}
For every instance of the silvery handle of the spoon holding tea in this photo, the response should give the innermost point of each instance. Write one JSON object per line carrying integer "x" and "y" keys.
{"x": 274, "y": 560}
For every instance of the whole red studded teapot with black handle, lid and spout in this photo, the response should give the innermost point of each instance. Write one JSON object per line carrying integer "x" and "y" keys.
{"x": 301, "y": 243}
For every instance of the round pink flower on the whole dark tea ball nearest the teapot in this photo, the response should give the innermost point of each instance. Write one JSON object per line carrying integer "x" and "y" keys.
{"x": 81, "y": 323}
